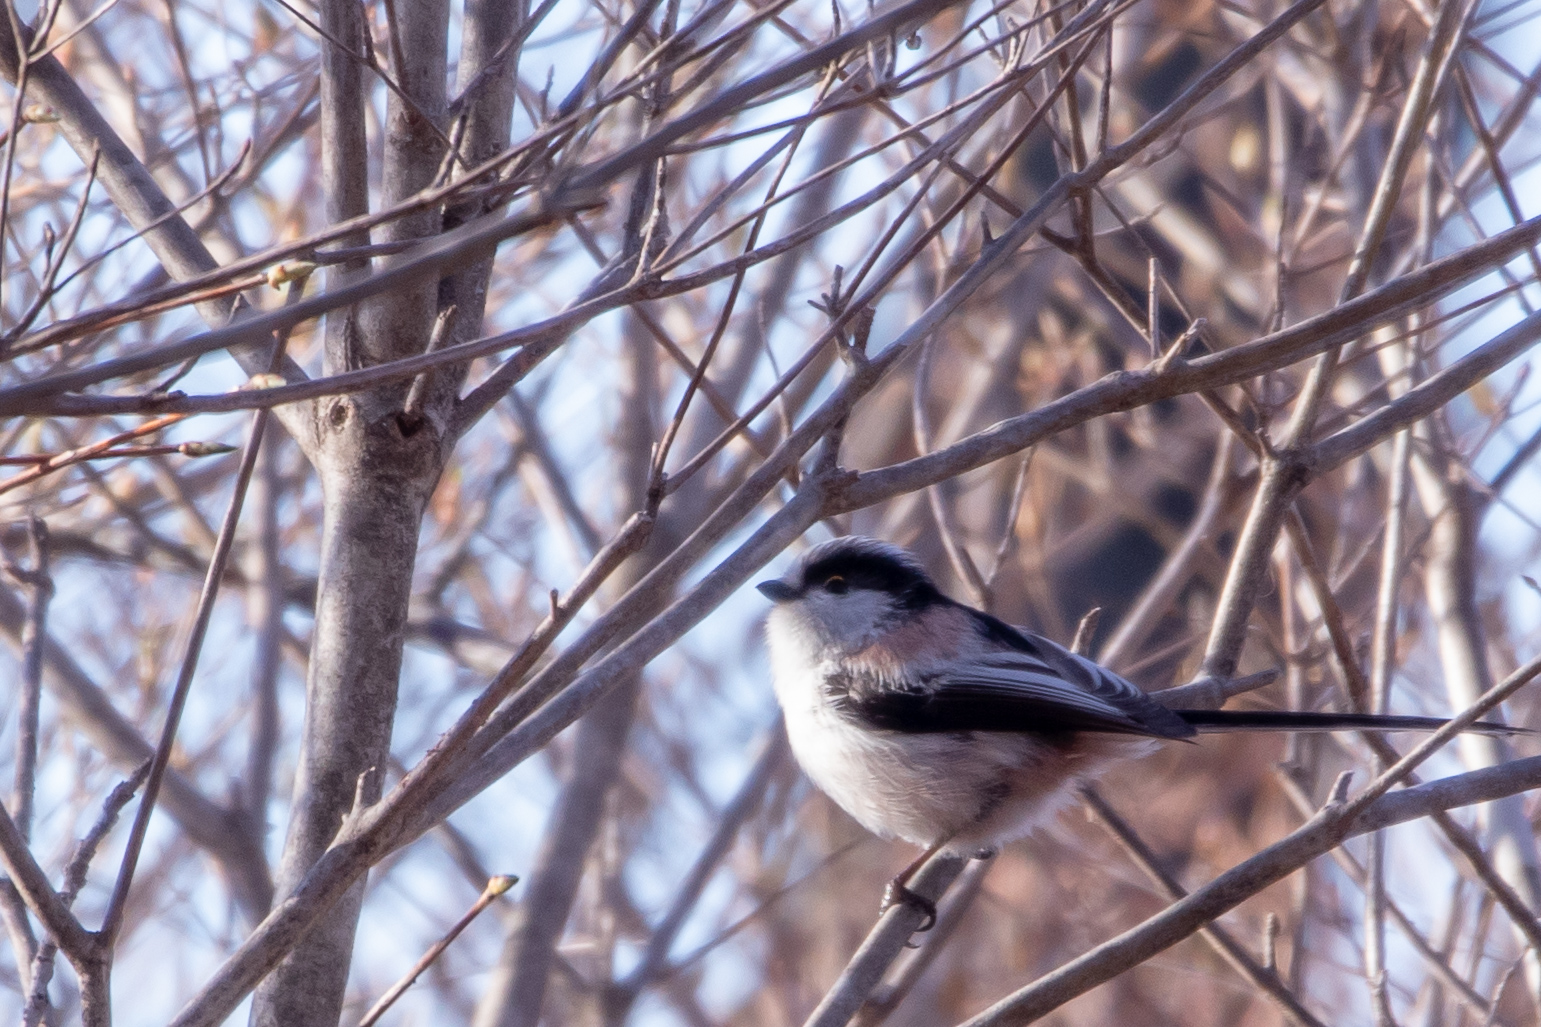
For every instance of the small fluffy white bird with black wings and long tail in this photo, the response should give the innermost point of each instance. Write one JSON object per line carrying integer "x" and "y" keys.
{"x": 935, "y": 722}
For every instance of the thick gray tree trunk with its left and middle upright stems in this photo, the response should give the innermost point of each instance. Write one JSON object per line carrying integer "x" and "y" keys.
{"x": 377, "y": 474}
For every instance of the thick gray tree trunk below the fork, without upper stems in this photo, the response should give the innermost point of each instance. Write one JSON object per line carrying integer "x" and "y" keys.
{"x": 377, "y": 483}
